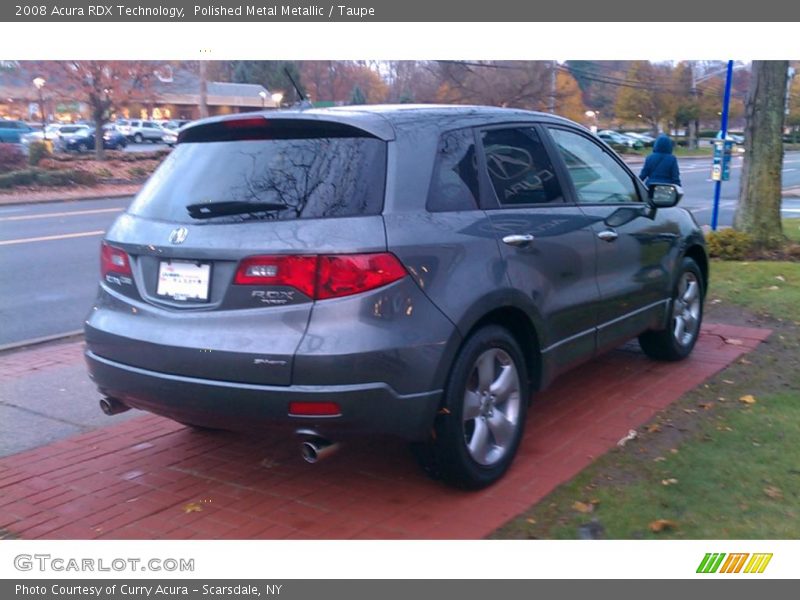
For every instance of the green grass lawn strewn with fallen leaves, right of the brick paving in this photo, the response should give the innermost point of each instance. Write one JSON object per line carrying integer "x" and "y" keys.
{"x": 713, "y": 465}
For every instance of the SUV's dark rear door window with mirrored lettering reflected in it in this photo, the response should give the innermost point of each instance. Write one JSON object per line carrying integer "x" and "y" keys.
{"x": 519, "y": 168}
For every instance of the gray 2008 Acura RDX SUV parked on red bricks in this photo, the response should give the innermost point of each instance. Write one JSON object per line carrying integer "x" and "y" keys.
{"x": 412, "y": 270}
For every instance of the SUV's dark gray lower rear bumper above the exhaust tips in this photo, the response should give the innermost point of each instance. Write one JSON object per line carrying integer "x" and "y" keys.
{"x": 367, "y": 408}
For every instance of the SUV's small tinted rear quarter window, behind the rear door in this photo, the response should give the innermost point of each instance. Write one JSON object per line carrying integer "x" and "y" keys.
{"x": 454, "y": 185}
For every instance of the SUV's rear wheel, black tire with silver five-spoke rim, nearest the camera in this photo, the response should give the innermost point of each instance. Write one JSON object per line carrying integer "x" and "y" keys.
{"x": 456, "y": 453}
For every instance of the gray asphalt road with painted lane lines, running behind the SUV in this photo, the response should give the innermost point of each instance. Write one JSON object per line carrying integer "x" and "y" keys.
{"x": 49, "y": 253}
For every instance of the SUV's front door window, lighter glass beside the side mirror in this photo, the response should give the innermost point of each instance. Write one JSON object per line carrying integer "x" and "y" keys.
{"x": 597, "y": 177}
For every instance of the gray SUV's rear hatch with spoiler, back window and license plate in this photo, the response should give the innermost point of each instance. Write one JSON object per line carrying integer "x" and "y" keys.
{"x": 215, "y": 267}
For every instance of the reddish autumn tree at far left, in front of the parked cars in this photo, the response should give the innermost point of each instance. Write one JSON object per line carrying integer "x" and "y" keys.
{"x": 104, "y": 85}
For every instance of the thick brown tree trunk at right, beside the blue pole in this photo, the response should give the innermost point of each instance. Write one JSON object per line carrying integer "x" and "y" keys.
{"x": 759, "y": 210}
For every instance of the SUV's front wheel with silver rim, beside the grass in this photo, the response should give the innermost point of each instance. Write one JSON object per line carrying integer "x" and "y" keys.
{"x": 676, "y": 342}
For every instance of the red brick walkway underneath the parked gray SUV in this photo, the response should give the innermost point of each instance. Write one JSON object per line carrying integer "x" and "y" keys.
{"x": 152, "y": 478}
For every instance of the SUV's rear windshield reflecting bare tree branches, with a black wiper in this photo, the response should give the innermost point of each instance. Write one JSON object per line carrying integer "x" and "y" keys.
{"x": 294, "y": 178}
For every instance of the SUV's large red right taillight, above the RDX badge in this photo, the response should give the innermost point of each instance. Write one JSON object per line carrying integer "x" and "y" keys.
{"x": 322, "y": 277}
